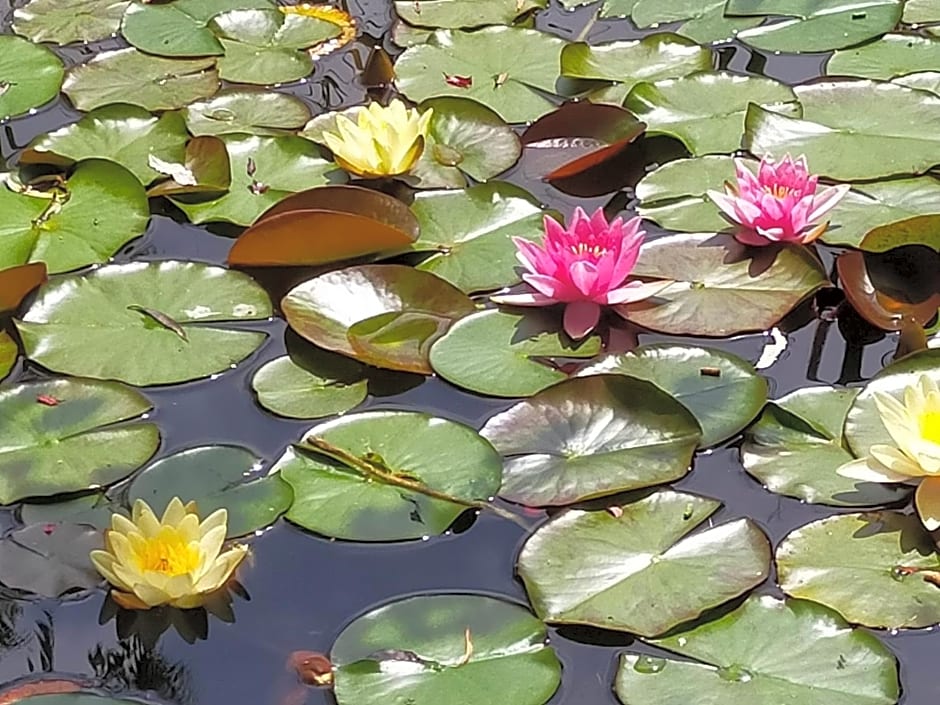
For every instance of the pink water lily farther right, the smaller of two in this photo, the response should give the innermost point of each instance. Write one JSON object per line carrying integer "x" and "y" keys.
{"x": 780, "y": 204}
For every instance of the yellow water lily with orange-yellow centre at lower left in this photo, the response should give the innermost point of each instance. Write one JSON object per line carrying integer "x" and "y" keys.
{"x": 175, "y": 560}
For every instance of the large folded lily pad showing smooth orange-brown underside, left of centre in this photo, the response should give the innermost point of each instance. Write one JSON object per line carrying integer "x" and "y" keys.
{"x": 326, "y": 224}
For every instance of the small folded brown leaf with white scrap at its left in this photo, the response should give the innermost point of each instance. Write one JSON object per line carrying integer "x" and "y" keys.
{"x": 206, "y": 170}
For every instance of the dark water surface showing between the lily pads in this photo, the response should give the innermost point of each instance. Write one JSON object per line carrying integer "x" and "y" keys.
{"x": 304, "y": 589}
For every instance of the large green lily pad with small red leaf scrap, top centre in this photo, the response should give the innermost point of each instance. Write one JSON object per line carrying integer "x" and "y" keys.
{"x": 511, "y": 69}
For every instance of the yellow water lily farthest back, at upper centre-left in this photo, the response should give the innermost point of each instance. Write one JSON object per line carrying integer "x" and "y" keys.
{"x": 382, "y": 142}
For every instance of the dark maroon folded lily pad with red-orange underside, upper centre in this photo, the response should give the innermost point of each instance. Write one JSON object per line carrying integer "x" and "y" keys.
{"x": 578, "y": 137}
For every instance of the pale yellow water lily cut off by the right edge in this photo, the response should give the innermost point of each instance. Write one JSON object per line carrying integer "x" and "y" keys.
{"x": 915, "y": 428}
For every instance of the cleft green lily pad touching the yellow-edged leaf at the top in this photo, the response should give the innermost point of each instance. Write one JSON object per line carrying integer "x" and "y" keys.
{"x": 267, "y": 46}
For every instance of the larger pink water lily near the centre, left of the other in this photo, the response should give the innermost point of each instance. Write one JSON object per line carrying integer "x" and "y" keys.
{"x": 584, "y": 266}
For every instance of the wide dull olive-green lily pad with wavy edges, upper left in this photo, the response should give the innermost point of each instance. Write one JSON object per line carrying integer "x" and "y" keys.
{"x": 130, "y": 76}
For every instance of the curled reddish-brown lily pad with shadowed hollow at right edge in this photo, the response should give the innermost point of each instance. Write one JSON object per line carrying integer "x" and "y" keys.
{"x": 888, "y": 289}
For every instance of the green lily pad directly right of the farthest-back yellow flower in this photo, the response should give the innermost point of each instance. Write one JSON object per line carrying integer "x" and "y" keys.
{"x": 465, "y": 139}
